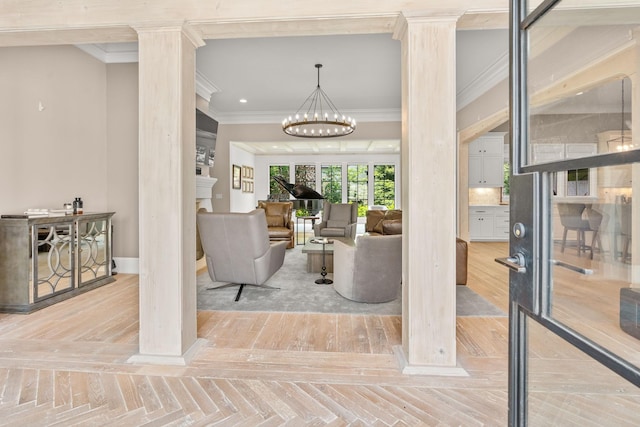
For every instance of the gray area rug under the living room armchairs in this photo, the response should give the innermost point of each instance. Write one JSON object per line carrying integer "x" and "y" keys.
{"x": 299, "y": 293}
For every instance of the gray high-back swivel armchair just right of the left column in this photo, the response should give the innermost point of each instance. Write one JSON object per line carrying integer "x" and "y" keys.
{"x": 237, "y": 248}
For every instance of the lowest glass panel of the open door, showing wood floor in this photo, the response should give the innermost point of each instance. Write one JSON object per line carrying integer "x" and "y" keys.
{"x": 568, "y": 388}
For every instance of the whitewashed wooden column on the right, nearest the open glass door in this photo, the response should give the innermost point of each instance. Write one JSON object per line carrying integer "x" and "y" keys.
{"x": 429, "y": 194}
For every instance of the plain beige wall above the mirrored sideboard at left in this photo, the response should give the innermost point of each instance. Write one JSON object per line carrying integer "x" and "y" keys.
{"x": 53, "y": 132}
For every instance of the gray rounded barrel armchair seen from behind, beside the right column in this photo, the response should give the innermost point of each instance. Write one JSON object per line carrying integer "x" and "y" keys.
{"x": 370, "y": 271}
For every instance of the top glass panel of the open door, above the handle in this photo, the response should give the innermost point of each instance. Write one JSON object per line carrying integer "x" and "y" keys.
{"x": 579, "y": 94}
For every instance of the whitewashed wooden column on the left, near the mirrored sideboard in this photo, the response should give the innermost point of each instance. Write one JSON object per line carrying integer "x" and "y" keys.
{"x": 167, "y": 195}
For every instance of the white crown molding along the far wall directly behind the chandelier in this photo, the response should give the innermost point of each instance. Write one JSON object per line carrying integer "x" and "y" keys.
{"x": 260, "y": 117}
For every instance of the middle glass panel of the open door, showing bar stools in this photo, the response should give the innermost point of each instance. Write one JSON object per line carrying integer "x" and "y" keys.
{"x": 595, "y": 272}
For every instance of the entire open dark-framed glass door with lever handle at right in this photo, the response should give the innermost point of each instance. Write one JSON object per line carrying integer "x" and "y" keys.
{"x": 575, "y": 214}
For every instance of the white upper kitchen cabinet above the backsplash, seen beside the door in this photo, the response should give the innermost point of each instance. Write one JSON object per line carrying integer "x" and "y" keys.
{"x": 486, "y": 161}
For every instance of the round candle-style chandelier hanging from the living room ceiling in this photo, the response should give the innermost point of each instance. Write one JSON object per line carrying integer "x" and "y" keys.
{"x": 318, "y": 117}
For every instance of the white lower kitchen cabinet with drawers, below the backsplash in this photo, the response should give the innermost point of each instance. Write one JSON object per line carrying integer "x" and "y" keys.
{"x": 489, "y": 223}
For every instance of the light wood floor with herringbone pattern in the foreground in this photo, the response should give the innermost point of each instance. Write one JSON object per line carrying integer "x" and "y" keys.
{"x": 67, "y": 365}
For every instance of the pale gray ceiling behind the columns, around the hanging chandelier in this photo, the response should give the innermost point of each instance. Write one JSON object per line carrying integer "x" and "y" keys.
{"x": 360, "y": 73}
